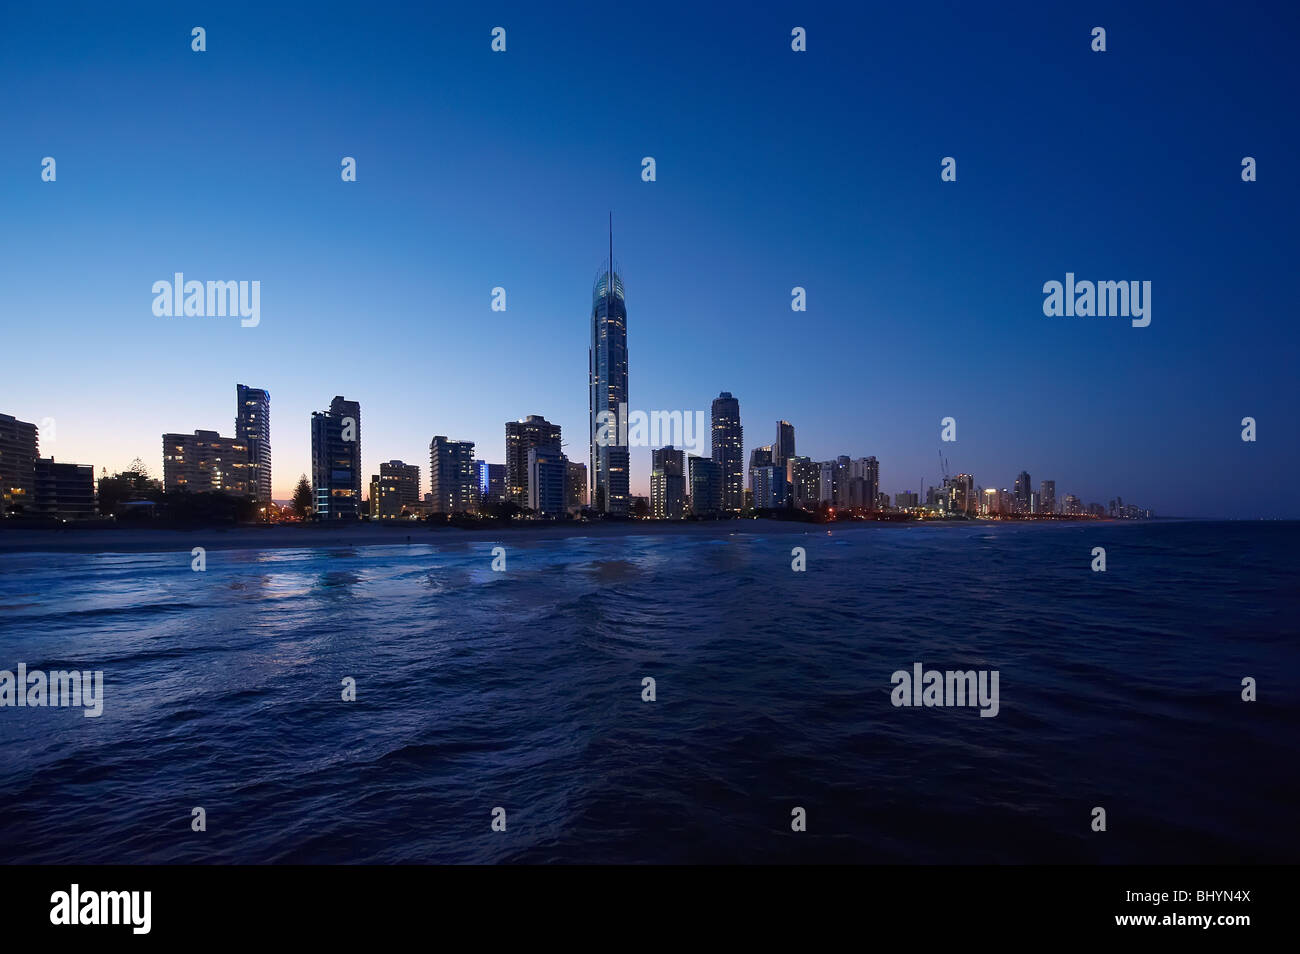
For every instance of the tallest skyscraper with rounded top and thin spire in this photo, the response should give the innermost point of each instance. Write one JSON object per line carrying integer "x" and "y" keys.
{"x": 608, "y": 370}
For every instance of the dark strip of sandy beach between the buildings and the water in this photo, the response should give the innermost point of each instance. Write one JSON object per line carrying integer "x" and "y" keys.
{"x": 313, "y": 536}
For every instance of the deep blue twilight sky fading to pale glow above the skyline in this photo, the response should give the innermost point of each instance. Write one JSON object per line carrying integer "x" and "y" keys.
{"x": 821, "y": 170}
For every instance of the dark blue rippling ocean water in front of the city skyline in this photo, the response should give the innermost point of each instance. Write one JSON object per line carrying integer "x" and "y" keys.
{"x": 523, "y": 691}
